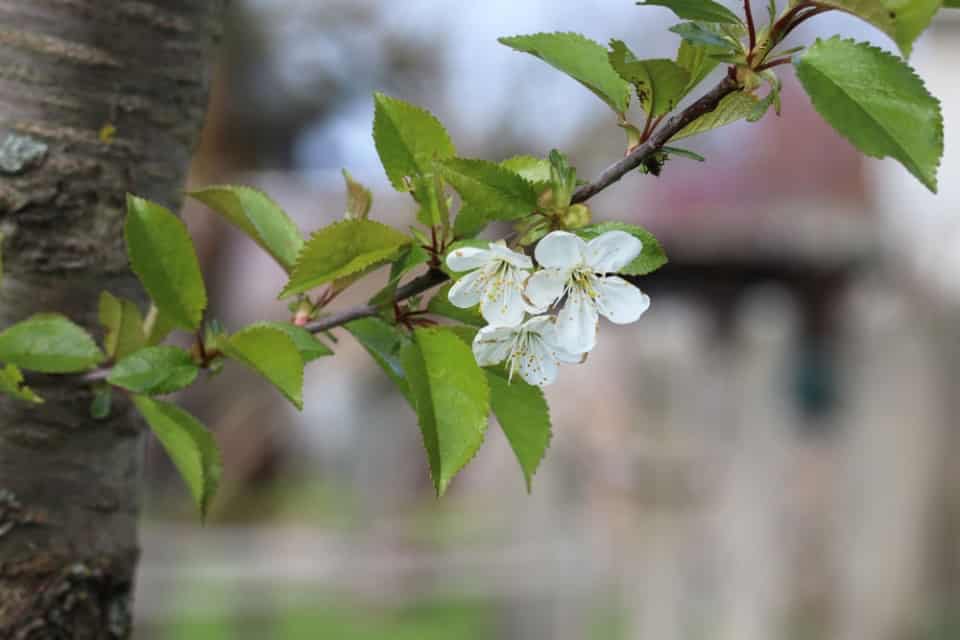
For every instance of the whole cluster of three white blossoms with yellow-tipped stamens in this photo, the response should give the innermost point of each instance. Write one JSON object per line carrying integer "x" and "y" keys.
{"x": 510, "y": 289}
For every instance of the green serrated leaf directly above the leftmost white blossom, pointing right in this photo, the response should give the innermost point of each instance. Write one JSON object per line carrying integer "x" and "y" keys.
{"x": 499, "y": 193}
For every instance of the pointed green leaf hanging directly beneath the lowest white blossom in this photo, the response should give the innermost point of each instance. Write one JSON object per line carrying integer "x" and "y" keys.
{"x": 524, "y": 416}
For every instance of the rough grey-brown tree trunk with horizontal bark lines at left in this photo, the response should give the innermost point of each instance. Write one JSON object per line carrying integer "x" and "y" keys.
{"x": 71, "y": 71}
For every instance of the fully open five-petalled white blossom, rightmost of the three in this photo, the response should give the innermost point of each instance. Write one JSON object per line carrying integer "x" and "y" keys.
{"x": 579, "y": 271}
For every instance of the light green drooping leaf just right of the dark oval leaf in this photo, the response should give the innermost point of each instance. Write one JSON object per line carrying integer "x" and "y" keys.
{"x": 273, "y": 354}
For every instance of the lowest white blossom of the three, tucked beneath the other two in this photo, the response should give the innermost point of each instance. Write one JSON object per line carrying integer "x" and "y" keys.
{"x": 532, "y": 349}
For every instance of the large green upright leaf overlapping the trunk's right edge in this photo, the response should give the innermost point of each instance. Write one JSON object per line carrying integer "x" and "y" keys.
{"x": 161, "y": 254}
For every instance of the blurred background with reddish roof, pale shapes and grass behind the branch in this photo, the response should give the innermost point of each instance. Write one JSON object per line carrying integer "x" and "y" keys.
{"x": 767, "y": 454}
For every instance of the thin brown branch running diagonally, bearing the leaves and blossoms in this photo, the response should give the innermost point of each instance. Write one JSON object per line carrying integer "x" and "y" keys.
{"x": 612, "y": 174}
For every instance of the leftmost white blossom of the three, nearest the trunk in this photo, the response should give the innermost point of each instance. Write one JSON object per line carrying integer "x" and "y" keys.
{"x": 495, "y": 282}
